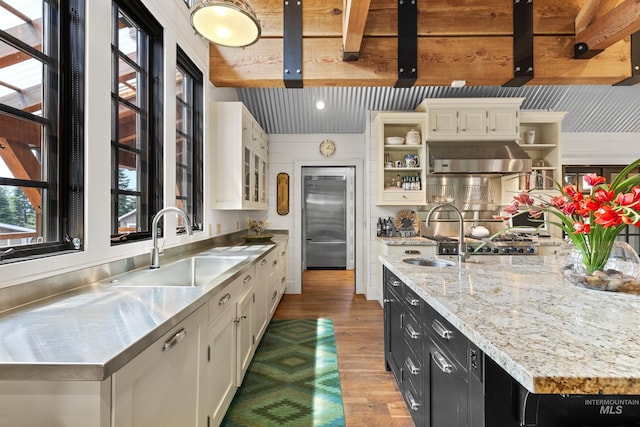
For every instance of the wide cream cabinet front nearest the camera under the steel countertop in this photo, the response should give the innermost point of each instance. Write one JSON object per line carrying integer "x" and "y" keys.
{"x": 159, "y": 386}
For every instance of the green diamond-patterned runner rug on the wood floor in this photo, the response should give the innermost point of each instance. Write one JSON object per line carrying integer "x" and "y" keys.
{"x": 293, "y": 379}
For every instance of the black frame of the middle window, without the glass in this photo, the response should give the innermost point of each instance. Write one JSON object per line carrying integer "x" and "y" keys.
{"x": 152, "y": 191}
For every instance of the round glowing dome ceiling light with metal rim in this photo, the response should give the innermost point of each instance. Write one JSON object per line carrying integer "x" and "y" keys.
{"x": 231, "y": 23}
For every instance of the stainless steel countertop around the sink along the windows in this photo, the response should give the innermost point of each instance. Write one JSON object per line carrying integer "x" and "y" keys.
{"x": 92, "y": 331}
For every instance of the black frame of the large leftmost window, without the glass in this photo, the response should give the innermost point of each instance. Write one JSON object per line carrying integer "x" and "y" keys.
{"x": 63, "y": 121}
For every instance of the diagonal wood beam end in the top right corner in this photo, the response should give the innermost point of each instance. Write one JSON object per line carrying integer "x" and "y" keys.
{"x": 618, "y": 23}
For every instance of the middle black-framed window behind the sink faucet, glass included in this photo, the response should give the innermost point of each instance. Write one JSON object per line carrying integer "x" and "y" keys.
{"x": 136, "y": 140}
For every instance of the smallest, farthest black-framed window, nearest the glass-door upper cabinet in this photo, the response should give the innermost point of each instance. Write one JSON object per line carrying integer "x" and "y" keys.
{"x": 189, "y": 100}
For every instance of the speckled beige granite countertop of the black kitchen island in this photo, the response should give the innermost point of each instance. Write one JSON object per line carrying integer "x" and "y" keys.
{"x": 552, "y": 337}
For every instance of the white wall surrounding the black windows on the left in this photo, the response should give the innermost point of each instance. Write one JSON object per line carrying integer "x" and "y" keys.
{"x": 174, "y": 17}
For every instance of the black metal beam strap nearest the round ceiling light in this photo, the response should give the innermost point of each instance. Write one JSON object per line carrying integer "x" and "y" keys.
{"x": 292, "y": 40}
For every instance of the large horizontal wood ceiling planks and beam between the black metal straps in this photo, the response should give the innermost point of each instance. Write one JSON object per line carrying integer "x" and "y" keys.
{"x": 471, "y": 40}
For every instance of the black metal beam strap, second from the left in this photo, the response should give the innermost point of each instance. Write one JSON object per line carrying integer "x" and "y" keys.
{"x": 407, "y": 43}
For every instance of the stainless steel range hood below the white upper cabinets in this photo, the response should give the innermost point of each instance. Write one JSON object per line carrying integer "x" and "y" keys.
{"x": 482, "y": 157}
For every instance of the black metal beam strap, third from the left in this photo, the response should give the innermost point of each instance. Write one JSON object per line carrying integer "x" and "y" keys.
{"x": 522, "y": 43}
